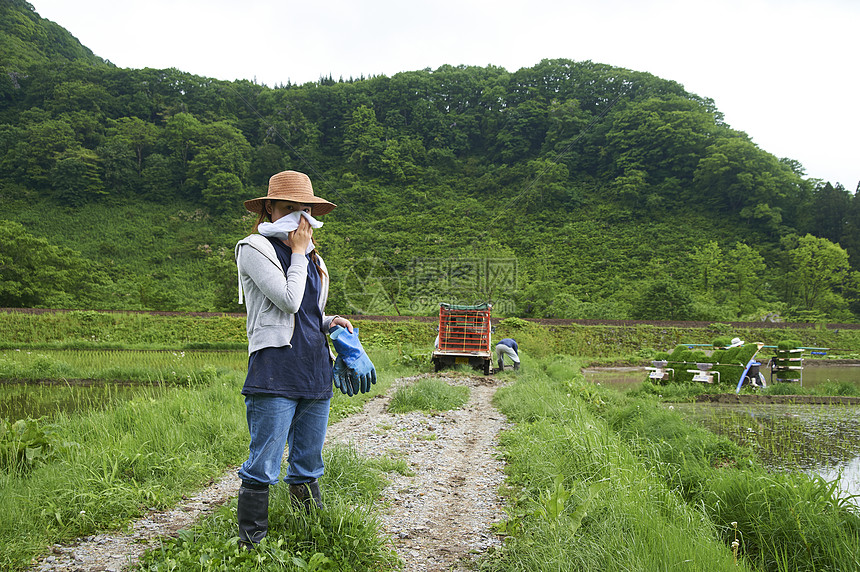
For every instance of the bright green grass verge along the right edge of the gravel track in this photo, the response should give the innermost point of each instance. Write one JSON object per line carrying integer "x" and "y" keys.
{"x": 581, "y": 500}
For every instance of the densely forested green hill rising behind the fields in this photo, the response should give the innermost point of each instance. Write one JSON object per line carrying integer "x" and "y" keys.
{"x": 567, "y": 189}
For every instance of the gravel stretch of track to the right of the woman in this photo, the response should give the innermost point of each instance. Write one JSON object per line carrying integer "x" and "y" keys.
{"x": 439, "y": 518}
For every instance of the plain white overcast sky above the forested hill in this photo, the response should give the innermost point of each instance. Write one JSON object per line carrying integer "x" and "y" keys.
{"x": 786, "y": 72}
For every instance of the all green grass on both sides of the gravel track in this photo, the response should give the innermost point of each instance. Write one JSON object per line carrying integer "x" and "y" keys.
{"x": 596, "y": 480}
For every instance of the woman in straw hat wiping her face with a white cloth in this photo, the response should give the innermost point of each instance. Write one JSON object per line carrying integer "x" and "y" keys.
{"x": 288, "y": 388}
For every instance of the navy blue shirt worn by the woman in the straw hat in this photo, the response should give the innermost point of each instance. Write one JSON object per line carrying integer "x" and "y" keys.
{"x": 302, "y": 371}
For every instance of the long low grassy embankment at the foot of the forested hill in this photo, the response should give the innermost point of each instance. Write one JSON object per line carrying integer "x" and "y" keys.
{"x": 608, "y": 344}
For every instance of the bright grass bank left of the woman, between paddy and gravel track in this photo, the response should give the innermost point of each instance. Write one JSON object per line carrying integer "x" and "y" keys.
{"x": 111, "y": 465}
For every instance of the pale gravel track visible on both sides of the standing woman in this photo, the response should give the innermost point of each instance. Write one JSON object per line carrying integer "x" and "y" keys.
{"x": 437, "y": 519}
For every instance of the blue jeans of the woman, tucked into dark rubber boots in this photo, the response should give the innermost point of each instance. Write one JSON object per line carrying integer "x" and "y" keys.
{"x": 275, "y": 422}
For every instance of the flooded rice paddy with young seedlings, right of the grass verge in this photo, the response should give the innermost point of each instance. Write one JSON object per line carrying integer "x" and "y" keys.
{"x": 821, "y": 440}
